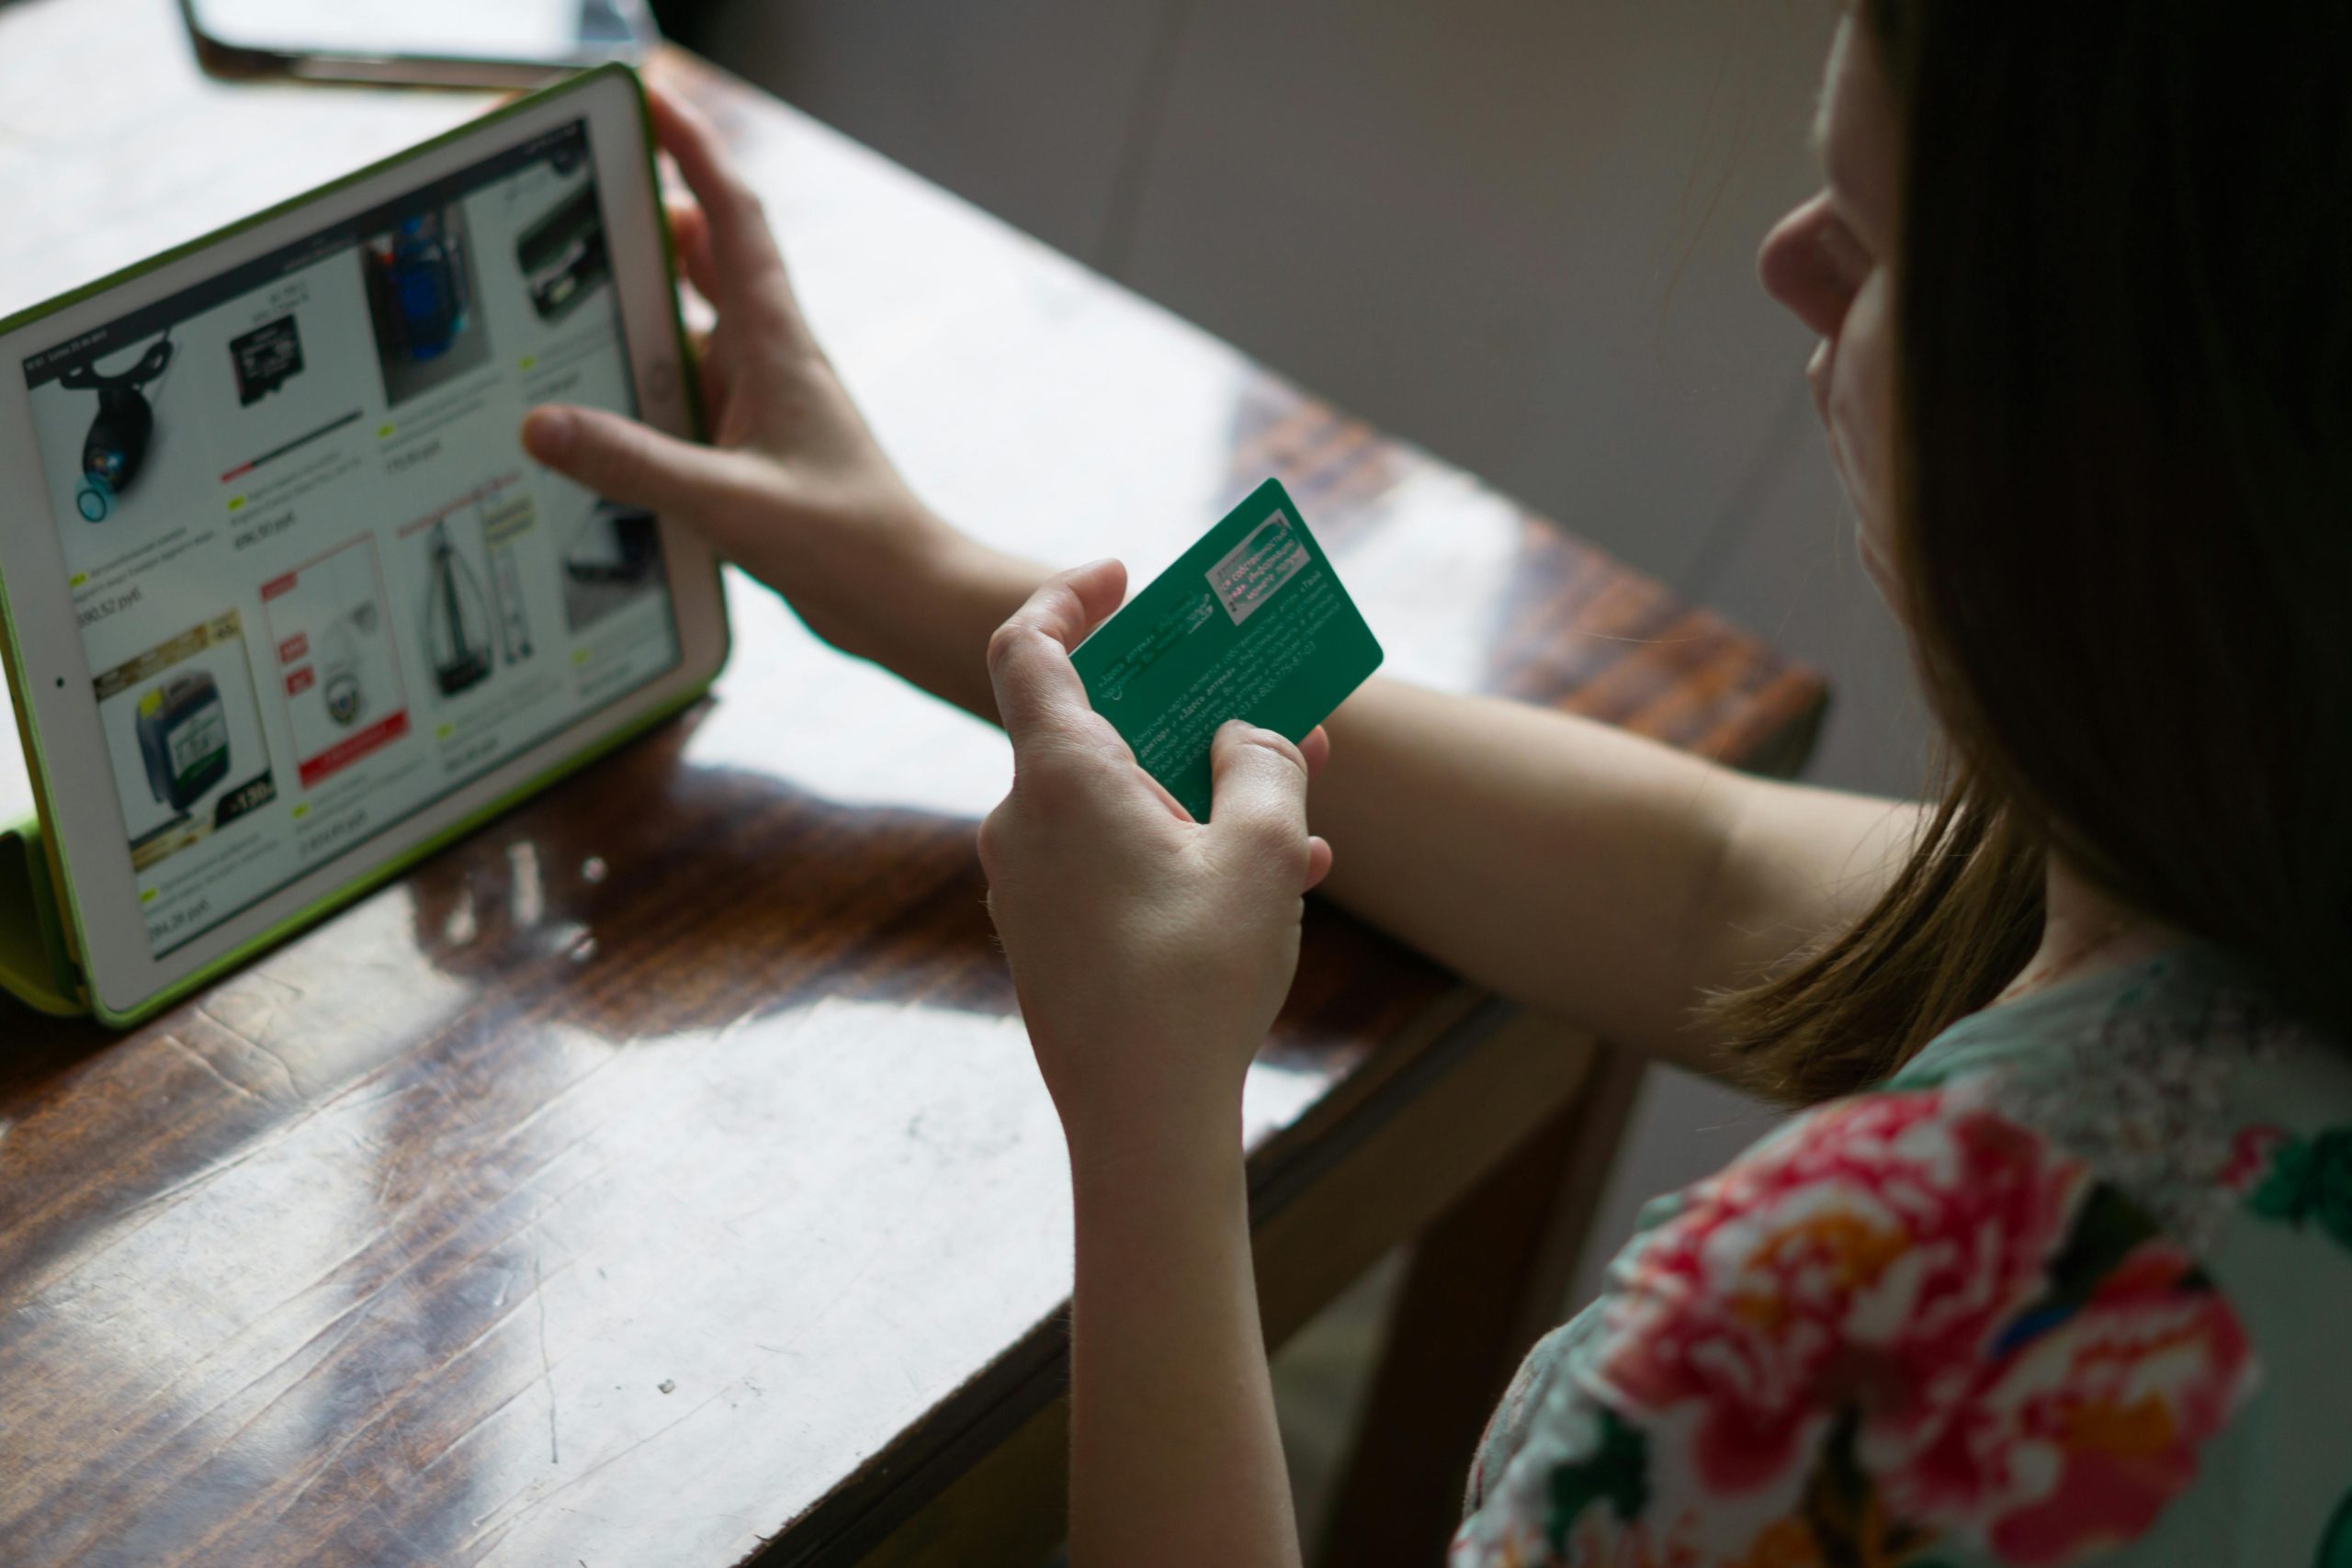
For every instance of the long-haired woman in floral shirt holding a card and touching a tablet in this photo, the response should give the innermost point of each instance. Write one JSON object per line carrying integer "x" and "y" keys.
{"x": 2052, "y": 1271}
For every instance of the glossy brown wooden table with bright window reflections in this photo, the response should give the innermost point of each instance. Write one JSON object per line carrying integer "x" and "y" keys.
{"x": 662, "y": 1174}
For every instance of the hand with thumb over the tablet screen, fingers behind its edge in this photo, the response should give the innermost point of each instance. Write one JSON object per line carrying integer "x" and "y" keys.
{"x": 794, "y": 485}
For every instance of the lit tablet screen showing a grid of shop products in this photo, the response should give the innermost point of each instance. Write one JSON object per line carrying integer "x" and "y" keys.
{"x": 316, "y": 577}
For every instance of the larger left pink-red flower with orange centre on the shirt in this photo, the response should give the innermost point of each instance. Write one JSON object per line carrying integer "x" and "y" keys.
{"x": 1864, "y": 1257}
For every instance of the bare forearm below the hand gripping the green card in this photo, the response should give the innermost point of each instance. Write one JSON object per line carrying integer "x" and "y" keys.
{"x": 1175, "y": 1454}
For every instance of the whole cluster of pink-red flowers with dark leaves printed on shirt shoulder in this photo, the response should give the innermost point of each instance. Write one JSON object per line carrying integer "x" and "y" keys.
{"x": 1916, "y": 1292}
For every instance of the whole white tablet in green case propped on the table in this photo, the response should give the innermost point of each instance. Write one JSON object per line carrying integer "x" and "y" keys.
{"x": 283, "y": 601}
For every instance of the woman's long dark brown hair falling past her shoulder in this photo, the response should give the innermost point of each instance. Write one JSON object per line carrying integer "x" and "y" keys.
{"x": 2125, "y": 507}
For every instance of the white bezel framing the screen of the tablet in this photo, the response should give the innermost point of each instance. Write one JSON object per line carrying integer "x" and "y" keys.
{"x": 51, "y": 676}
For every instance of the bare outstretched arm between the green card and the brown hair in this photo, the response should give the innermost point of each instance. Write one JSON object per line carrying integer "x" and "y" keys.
{"x": 1582, "y": 869}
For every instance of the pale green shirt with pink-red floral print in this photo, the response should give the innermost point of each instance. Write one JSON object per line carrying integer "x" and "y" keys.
{"x": 2076, "y": 1287}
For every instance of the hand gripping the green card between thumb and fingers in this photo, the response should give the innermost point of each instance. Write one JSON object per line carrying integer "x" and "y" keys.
{"x": 1151, "y": 953}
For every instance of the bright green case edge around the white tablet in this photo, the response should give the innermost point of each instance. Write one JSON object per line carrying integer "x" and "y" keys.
{"x": 39, "y": 956}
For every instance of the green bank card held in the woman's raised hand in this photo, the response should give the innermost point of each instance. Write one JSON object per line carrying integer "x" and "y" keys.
{"x": 1250, "y": 624}
